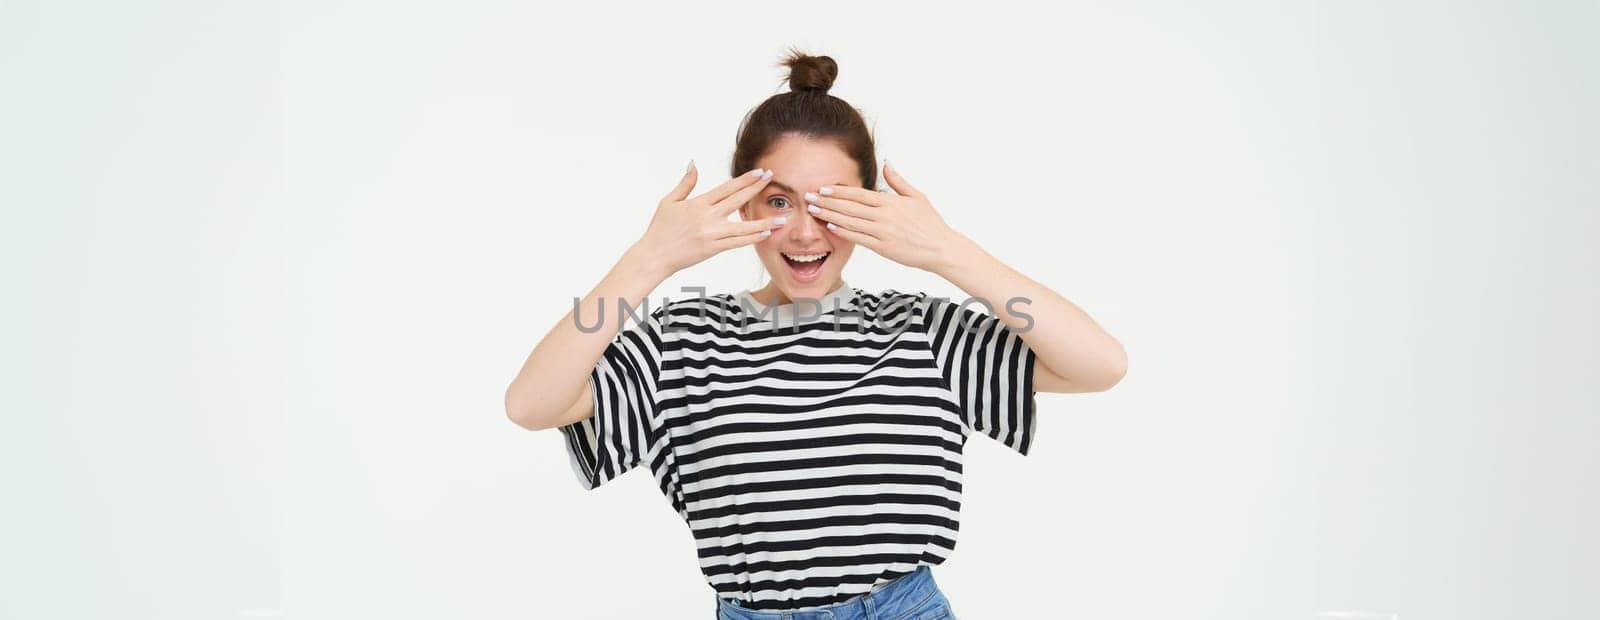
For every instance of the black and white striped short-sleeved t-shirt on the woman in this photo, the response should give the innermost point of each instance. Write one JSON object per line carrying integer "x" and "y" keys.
{"x": 814, "y": 451}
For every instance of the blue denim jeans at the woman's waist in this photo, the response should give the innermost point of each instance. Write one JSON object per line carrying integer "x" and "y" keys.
{"x": 910, "y": 597}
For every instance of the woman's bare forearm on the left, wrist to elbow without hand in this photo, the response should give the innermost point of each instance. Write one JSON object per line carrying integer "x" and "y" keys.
{"x": 556, "y": 375}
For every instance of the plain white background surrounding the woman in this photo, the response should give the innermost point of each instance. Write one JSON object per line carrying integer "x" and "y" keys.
{"x": 271, "y": 266}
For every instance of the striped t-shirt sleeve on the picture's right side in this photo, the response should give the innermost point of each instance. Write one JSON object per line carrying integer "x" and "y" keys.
{"x": 988, "y": 367}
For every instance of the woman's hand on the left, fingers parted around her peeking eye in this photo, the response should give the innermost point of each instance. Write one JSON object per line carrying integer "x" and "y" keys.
{"x": 686, "y": 232}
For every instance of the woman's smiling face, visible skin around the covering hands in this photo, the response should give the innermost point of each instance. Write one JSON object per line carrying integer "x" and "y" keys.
{"x": 802, "y": 165}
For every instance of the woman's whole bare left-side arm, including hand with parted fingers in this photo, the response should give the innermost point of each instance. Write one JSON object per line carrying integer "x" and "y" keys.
{"x": 551, "y": 389}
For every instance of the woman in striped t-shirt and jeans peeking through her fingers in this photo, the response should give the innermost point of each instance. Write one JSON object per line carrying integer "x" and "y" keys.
{"x": 810, "y": 434}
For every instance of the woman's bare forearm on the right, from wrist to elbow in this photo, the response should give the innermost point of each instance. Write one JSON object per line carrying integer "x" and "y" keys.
{"x": 1066, "y": 340}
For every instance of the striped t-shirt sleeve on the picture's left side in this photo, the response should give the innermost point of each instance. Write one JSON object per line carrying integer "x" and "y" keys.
{"x": 625, "y": 429}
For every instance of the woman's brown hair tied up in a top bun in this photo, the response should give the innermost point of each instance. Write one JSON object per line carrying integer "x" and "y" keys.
{"x": 809, "y": 111}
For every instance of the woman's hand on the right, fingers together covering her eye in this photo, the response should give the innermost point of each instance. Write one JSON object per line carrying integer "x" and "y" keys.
{"x": 902, "y": 226}
